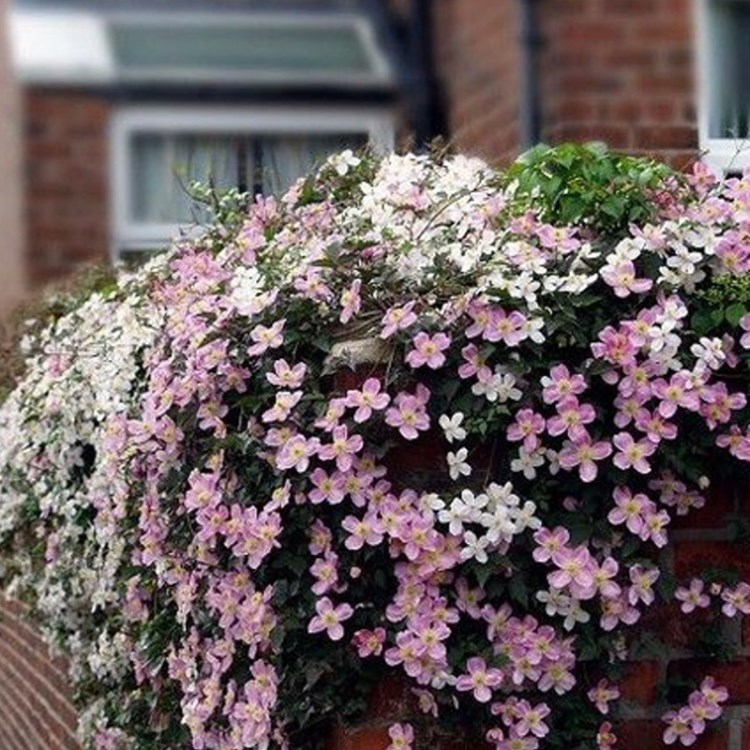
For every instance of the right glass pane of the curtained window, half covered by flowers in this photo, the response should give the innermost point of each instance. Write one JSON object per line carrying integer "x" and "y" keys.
{"x": 283, "y": 159}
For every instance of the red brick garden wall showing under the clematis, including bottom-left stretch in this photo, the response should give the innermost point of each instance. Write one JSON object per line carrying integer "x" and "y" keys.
{"x": 35, "y": 712}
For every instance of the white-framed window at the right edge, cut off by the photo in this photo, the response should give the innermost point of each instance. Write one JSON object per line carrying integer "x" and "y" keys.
{"x": 724, "y": 66}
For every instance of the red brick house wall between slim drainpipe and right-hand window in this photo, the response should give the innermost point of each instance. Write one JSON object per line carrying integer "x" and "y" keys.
{"x": 620, "y": 71}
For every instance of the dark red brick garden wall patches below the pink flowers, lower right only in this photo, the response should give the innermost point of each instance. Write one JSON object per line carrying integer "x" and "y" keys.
{"x": 699, "y": 541}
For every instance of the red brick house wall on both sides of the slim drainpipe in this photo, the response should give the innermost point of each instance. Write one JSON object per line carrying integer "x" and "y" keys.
{"x": 619, "y": 71}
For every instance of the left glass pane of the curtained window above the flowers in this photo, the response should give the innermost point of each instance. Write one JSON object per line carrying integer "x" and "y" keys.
{"x": 163, "y": 166}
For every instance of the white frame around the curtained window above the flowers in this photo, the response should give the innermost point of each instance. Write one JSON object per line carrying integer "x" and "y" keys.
{"x": 376, "y": 123}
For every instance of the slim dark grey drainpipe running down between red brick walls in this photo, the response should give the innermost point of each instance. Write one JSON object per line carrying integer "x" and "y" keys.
{"x": 531, "y": 42}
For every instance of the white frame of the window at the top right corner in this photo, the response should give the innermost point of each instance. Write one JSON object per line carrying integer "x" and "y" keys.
{"x": 721, "y": 154}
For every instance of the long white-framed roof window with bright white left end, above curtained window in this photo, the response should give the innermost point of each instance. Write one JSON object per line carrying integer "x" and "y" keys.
{"x": 249, "y": 46}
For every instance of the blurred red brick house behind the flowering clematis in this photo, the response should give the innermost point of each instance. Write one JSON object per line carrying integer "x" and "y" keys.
{"x": 112, "y": 107}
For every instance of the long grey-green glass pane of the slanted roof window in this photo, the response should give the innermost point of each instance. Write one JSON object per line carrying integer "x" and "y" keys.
{"x": 242, "y": 49}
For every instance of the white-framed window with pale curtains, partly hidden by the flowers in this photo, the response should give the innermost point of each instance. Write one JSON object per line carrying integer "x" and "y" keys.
{"x": 158, "y": 152}
